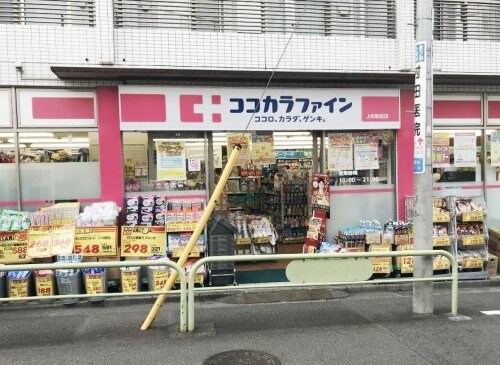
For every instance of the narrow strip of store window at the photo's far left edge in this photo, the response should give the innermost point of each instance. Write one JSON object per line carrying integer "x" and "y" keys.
{"x": 8, "y": 171}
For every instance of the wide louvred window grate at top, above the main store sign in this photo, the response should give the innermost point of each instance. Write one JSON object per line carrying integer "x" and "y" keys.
{"x": 364, "y": 18}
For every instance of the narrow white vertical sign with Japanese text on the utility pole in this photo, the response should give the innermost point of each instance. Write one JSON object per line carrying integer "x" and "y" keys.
{"x": 420, "y": 108}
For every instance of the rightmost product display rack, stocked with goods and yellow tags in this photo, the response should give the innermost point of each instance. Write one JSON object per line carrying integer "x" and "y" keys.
{"x": 471, "y": 236}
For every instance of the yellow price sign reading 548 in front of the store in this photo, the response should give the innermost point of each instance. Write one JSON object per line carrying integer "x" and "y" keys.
{"x": 96, "y": 241}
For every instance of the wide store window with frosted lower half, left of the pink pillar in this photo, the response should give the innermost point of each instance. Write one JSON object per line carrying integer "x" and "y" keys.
{"x": 58, "y": 166}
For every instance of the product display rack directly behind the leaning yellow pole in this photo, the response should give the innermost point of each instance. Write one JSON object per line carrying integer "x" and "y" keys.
{"x": 181, "y": 219}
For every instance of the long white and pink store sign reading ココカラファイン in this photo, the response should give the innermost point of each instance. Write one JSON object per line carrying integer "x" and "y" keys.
{"x": 205, "y": 108}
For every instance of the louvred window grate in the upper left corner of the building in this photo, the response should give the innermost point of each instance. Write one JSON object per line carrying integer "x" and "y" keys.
{"x": 48, "y": 12}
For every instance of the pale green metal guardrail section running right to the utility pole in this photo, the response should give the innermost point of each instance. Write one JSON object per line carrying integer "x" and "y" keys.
{"x": 333, "y": 257}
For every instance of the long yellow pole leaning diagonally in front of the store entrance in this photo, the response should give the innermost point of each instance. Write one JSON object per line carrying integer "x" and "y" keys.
{"x": 194, "y": 237}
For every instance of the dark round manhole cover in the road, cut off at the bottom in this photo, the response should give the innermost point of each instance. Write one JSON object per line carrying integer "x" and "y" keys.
{"x": 242, "y": 357}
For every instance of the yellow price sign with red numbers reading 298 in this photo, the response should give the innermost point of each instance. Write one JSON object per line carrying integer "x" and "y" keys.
{"x": 143, "y": 241}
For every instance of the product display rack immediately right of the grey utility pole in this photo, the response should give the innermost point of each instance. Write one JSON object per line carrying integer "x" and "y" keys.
{"x": 444, "y": 237}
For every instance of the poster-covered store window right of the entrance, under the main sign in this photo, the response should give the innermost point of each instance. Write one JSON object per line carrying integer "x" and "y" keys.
{"x": 360, "y": 158}
